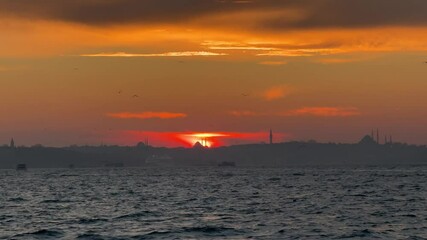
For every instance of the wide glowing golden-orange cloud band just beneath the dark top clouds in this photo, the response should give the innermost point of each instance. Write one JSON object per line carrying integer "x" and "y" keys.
{"x": 26, "y": 38}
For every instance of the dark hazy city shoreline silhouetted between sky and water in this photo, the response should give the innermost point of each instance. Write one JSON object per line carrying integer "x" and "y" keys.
{"x": 255, "y": 155}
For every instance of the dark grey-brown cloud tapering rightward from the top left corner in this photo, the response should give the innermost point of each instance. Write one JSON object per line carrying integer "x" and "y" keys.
{"x": 100, "y": 12}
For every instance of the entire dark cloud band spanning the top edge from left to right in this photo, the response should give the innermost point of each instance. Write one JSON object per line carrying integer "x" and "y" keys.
{"x": 317, "y": 13}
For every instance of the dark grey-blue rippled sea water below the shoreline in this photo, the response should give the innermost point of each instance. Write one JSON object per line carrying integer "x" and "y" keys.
{"x": 214, "y": 203}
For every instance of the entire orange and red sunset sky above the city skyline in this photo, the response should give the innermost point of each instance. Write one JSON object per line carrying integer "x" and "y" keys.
{"x": 120, "y": 71}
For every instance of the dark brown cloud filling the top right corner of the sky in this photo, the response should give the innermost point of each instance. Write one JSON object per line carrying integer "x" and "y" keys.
{"x": 359, "y": 13}
